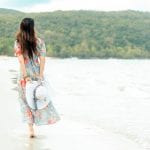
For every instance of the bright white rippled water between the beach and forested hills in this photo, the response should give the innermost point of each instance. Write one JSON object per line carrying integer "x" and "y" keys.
{"x": 112, "y": 94}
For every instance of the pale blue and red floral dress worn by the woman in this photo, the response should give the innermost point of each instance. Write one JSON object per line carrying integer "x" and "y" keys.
{"x": 47, "y": 115}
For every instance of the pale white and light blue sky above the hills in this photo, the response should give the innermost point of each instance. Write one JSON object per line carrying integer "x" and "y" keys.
{"x": 52, "y": 5}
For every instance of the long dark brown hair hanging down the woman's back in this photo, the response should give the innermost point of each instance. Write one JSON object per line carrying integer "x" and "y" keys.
{"x": 26, "y": 37}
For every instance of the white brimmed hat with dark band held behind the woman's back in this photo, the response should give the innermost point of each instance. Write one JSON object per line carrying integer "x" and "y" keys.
{"x": 37, "y": 94}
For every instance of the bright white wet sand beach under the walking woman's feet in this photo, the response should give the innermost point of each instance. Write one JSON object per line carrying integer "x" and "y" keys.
{"x": 67, "y": 134}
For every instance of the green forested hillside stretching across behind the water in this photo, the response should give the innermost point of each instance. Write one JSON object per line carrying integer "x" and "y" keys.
{"x": 83, "y": 34}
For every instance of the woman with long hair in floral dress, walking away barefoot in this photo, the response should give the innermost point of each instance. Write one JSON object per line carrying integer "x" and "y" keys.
{"x": 31, "y": 53}
